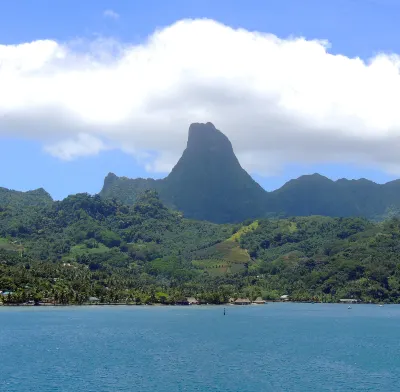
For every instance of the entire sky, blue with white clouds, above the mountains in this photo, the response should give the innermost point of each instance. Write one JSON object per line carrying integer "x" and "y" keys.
{"x": 92, "y": 87}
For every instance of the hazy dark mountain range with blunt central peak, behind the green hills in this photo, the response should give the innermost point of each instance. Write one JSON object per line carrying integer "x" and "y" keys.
{"x": 208, "y": 183}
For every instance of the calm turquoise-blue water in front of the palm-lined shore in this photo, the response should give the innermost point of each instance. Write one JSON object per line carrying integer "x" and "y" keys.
{"x": 276, "y": 347}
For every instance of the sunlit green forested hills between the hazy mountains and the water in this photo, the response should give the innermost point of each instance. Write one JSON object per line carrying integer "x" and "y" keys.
{"x": 86, "y": 246}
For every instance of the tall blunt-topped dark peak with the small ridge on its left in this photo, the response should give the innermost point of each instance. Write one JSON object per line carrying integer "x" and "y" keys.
{"x": 207, "y": 183}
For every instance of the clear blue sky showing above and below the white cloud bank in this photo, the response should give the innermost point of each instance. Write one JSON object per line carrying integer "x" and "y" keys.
{"x": 355, "y": 28}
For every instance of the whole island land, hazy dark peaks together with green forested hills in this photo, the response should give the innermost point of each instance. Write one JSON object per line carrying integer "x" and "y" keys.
{"x": 127, "y": 246}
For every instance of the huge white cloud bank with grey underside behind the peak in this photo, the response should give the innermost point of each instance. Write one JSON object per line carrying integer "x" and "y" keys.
{"x": 280, "y": 101}
